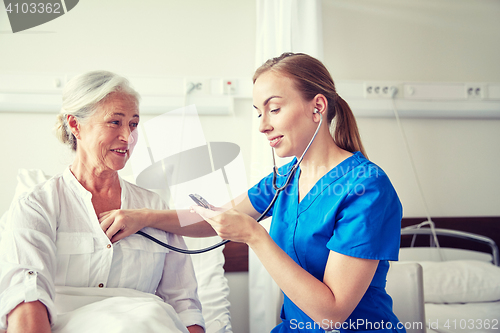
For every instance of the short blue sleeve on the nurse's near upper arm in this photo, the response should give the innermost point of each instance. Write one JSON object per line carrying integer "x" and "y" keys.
{"x": 368, "y": 224}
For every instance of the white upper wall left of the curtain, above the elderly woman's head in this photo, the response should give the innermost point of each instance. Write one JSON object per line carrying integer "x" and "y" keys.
{"x": 150, "y": 37}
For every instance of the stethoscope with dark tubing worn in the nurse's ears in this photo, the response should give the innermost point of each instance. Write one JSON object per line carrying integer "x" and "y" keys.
{"x": 277, "y": 188}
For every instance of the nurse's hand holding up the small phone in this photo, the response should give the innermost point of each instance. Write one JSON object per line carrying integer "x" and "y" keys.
{"x": 231, "y": 224}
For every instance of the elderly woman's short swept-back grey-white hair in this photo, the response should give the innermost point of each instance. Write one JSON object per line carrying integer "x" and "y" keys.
{"x": 83, "y": 94}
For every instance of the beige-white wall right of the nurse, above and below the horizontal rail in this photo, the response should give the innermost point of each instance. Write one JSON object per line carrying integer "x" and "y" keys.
{"x": 425, "y": 40}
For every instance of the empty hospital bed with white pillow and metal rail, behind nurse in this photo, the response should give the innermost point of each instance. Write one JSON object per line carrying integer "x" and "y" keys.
{"x": 461, "y": 278}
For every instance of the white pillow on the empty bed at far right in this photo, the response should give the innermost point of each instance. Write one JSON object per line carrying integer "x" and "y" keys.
{"x": 460, "y": 281}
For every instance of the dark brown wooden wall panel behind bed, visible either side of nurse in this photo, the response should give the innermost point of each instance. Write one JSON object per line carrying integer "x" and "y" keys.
{"x": 236, "y": 254}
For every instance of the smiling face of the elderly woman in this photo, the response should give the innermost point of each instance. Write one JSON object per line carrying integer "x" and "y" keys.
{"x": 107, "y": 139}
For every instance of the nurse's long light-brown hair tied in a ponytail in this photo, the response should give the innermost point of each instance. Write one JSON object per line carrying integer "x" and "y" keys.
{"x": 312, "y": 78}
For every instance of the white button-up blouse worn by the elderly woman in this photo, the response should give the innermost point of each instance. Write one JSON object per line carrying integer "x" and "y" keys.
{"x": 52, "y": 237}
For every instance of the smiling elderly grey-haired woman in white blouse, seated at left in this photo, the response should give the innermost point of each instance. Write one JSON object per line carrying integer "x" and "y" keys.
{"x": 53, "y": 237}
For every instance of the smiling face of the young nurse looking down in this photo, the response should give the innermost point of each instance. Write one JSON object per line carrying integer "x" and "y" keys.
{"x": 285, "y": 117}
